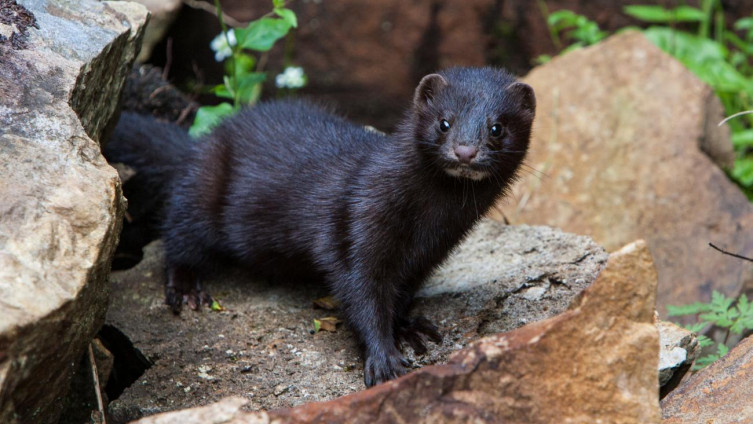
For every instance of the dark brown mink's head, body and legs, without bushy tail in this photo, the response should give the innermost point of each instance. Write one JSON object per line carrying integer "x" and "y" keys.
{"x": 287, "y": 186}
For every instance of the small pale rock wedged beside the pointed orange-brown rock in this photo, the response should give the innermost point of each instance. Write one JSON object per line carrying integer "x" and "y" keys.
{"x": 679, "y": 348}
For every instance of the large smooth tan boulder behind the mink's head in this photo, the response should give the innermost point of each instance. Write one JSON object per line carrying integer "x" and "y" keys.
{"x": 616, "y": 157}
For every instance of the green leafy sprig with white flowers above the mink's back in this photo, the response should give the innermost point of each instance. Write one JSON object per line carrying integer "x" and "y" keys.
{"x": 244, "y": 77}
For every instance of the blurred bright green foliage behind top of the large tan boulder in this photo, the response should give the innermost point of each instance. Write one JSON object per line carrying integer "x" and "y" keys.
{"x": 719, "y": 55}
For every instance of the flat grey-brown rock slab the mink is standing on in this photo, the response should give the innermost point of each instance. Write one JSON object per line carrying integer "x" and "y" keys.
{"x": 261, "y": 346}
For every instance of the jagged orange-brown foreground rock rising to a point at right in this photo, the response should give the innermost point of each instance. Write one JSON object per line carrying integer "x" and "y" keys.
{"x": 594, "y": 363}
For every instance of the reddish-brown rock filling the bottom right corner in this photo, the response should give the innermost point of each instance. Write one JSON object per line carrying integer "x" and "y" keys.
{"x": 720, "y": 393}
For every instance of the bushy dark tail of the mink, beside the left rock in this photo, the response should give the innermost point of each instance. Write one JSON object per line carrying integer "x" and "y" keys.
{"x": 148, "y": 154}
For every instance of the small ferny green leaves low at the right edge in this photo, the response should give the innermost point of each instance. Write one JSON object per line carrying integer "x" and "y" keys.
{"x": 723, "y": 312}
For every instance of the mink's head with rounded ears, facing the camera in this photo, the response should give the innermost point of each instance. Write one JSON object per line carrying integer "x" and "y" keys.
{"x": 473, "y": 122}
